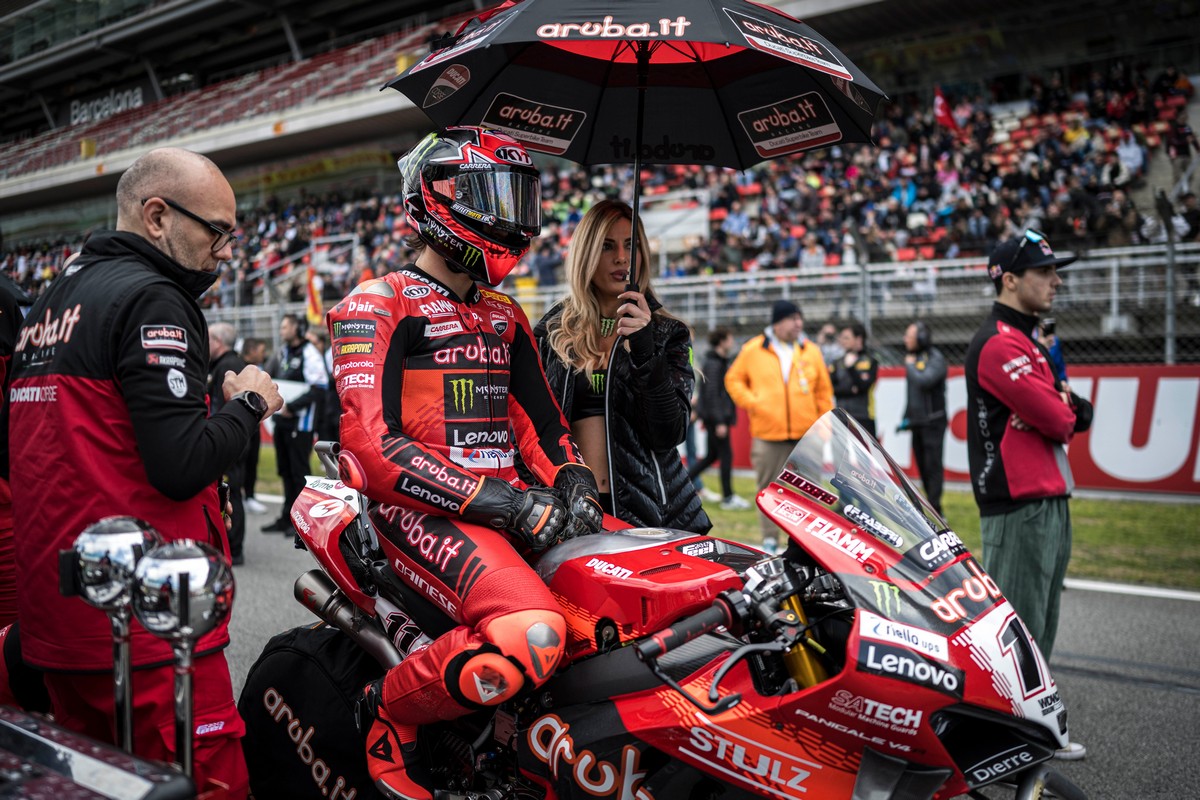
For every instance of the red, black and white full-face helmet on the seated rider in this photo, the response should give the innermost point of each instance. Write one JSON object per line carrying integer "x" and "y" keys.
{"x": 473, "y": 196}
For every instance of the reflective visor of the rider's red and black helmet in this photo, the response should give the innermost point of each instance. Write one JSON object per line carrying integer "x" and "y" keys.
{"x": 509, "y": 195}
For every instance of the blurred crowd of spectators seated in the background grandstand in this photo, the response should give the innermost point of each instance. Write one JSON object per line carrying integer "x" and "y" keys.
{"x": 931, "y": 189}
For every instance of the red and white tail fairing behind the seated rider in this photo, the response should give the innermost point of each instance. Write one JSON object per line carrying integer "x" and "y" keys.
{"x": 321, "y": 514}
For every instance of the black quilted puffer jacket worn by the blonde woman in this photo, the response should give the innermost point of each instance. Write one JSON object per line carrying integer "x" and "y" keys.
{"x": 647, "y": 419}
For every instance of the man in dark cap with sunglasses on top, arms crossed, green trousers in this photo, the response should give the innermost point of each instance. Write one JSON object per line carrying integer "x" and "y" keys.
{"x": 1021, "y": 419}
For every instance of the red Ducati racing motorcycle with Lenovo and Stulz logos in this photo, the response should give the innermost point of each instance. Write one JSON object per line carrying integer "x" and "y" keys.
{"x": 873, "y": 659}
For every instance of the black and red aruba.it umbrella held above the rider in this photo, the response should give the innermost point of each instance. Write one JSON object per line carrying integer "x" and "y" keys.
{"x": 728, "y": 83}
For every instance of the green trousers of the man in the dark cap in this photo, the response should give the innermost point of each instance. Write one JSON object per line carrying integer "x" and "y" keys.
{"x": 1027, "y": 552}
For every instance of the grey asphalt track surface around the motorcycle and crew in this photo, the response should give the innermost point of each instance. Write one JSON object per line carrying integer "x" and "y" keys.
{"x": 1127, "y": 667}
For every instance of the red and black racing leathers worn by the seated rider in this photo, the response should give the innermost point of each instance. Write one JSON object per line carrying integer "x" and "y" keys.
{"x": 439, "y": 393}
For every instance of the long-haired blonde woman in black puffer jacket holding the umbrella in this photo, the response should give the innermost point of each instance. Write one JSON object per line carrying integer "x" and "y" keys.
{"x": 621, "y": 368}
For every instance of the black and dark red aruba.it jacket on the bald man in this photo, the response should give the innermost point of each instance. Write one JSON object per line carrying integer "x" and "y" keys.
{"x": 109, "y": 417}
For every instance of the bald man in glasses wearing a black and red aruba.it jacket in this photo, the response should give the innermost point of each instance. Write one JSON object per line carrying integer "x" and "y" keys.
{"x": 109, "y": 417}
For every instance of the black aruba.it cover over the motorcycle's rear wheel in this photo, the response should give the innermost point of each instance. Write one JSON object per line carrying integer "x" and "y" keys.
{"x": 298, "y": 703}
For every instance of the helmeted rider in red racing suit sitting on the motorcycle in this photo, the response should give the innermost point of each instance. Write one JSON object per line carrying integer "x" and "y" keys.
{"x": 441, "y": 386}
